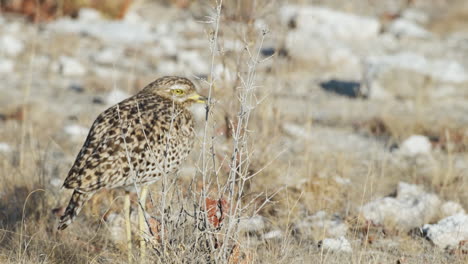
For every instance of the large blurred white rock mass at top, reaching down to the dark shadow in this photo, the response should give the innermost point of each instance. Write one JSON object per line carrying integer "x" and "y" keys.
{"x": 328, "y": 38}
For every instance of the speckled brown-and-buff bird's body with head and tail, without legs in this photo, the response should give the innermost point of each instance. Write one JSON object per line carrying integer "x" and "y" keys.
{"x": 134, "y": 142}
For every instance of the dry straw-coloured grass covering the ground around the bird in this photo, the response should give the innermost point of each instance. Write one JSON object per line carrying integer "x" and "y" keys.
{"x": 246, "y": 157}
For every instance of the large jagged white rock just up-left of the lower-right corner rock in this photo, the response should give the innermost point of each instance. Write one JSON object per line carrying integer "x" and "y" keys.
{"x": 412, "y": 207}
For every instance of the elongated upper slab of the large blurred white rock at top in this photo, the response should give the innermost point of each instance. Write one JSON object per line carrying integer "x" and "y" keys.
{"x": 330, "y": 24}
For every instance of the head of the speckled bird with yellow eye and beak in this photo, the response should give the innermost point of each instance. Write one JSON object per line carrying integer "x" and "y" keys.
{"x": 178, "y": 89}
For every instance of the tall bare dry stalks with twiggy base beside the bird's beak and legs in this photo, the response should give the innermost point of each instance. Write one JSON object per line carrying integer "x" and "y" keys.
{"x": 211, "y": 207}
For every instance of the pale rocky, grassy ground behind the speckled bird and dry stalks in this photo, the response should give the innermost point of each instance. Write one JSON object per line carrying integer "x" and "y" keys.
{"x": 357, "y": 136}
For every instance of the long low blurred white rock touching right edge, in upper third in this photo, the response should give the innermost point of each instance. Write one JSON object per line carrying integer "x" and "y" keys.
{"x": 440, "y": 70}
